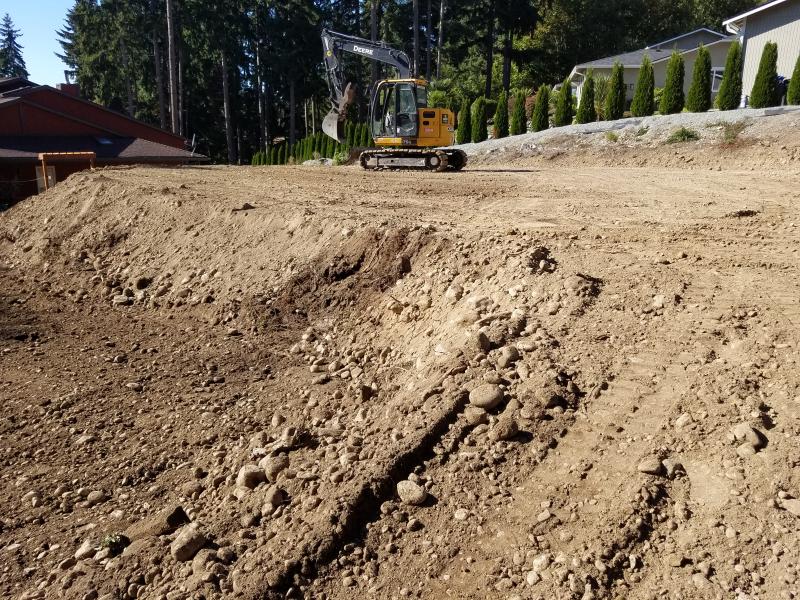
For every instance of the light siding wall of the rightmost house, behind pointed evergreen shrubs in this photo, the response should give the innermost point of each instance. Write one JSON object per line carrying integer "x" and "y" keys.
{"x": 781, "y": 25}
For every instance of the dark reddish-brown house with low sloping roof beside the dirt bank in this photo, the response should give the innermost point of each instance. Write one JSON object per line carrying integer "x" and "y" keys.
{"x": 46, "y": 134}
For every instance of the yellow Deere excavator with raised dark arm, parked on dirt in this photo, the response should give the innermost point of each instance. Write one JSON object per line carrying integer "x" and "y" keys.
{"x": 408, "y": 133}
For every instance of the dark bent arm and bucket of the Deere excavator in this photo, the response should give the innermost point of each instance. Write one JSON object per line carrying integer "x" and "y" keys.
{"x": 333, "y": 46}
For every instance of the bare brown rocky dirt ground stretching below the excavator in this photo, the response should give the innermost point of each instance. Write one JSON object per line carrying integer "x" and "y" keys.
{"x": 559, "y": 376}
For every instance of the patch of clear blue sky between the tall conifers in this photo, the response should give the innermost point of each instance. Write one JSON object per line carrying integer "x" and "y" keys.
{"x": 38, "y": 21}
